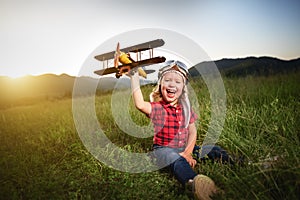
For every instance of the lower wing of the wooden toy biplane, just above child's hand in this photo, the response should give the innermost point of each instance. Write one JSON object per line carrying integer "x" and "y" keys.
{"x": 132, "y": 65}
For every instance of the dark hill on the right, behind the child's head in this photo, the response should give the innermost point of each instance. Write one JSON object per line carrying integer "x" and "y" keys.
{"x": 261, "y": 66}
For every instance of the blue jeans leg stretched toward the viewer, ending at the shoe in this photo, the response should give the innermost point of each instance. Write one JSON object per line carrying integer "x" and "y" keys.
{"x": 169, "y": 157}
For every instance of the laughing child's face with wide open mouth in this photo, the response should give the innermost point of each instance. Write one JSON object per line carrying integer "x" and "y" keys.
{"x": 171, "y": 87}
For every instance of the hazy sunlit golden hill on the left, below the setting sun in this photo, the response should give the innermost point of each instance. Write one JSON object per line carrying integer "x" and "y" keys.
{"x": 31, "y": 89}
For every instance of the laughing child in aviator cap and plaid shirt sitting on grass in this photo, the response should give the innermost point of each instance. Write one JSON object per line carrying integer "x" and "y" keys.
{"x": 174, "y": 125}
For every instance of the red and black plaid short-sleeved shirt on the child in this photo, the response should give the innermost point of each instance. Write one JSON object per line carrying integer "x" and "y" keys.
{"x": 169, "y": 125}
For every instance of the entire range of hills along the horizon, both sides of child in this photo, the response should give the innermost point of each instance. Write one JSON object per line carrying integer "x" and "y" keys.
{"x": 50, "y": 86}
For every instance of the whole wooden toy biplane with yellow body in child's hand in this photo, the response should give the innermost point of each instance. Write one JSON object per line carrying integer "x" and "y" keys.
{"x": 123, "y": 62}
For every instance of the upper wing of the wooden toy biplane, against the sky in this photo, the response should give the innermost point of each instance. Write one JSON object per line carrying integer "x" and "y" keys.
{"x": 136, "y": 48}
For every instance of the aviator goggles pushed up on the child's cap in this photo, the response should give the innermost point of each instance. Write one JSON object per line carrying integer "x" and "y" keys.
{"x": 176, "y": 65}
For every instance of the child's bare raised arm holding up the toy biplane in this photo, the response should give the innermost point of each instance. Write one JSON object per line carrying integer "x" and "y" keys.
{"x": 137, "y": 95}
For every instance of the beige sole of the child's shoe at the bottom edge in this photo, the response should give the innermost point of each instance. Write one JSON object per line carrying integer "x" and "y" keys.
{"x": 203, "y": 187}
